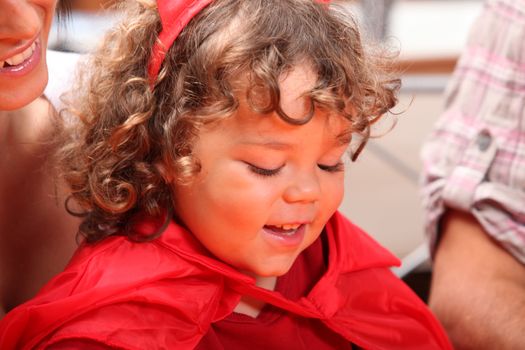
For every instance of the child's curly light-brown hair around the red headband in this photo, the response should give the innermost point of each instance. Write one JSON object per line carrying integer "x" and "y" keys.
{"x": 232, "y": 49}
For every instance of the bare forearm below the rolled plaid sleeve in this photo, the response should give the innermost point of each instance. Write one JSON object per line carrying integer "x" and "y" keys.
{"x": 478, "y": 288}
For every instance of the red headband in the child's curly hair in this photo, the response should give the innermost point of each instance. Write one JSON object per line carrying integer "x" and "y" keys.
{"x": 174, "y": 16}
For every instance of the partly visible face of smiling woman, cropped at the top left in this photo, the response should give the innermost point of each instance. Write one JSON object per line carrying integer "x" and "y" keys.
{"x": 24, "y": 30}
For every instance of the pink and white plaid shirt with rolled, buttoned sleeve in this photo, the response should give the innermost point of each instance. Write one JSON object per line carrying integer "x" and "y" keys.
{"x": 474, "y": 159}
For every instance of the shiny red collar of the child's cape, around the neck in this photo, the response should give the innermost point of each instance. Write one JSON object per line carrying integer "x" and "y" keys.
{"x": 350, "y": 250}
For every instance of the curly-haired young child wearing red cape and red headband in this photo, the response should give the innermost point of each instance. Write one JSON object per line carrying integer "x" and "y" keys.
{"x": 209, "y": 169}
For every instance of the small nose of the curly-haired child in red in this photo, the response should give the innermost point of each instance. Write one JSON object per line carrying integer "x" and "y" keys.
{"x": 304, "y": 188}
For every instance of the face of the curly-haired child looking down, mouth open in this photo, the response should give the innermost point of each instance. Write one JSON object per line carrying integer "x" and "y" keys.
{"x": 266, "y": 188}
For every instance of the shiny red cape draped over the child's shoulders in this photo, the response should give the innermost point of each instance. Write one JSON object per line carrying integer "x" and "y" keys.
{"x": 165, "y": 293}
